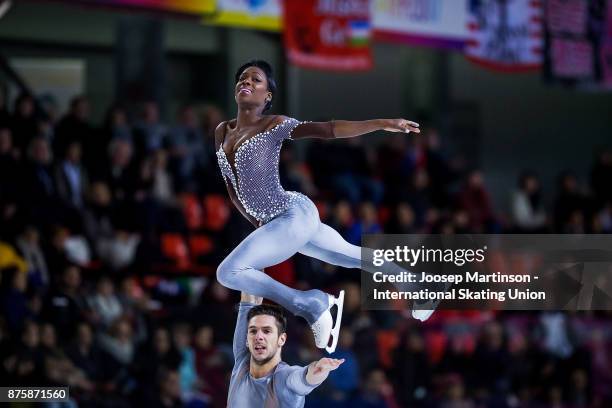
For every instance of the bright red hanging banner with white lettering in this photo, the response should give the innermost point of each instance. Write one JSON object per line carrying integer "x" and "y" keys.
{"x": 328, "y": 34}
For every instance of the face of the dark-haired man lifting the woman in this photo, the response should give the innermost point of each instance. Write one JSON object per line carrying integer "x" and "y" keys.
{"x": 263, "y": 340}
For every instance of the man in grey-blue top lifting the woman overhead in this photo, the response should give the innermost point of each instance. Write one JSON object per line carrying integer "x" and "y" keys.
{"x": 260, "y": 378}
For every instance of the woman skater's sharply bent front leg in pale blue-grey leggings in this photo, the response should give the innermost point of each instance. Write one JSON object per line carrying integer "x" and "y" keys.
{"x": 269, "y": 245}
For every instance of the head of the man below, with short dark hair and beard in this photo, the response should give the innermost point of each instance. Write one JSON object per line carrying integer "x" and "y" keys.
{"x": 266, "y": 334}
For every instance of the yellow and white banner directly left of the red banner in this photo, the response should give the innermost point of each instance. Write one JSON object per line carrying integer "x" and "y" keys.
{"x": 257, "y": 14}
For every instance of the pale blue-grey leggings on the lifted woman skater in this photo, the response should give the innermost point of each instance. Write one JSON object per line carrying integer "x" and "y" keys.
{"x": 297, "y": 229}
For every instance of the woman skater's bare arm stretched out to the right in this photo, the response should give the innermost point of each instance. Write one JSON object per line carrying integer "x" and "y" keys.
{"x": 337, "y": 129}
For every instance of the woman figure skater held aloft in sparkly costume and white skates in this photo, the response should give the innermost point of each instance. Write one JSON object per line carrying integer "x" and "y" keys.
{"x": 286, "y": 222}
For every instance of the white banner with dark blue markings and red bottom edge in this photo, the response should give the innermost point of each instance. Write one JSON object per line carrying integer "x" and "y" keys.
{"x": 505, "y": 35}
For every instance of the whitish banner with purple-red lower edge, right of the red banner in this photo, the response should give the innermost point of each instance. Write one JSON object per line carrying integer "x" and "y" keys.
{"x": 431, "y": 23}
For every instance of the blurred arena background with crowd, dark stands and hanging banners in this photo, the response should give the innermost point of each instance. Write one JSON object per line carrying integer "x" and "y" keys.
{"x": 114, "y": 217}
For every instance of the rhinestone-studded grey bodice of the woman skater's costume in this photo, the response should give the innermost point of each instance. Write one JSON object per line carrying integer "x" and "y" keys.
{"x": 256, "y": 182}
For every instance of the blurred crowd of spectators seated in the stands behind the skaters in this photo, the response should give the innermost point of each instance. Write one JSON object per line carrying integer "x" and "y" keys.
{"x": 110, "y": 236}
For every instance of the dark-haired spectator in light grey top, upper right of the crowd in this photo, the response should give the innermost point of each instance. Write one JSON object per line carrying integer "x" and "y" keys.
{"x": 527, "y": 208}
